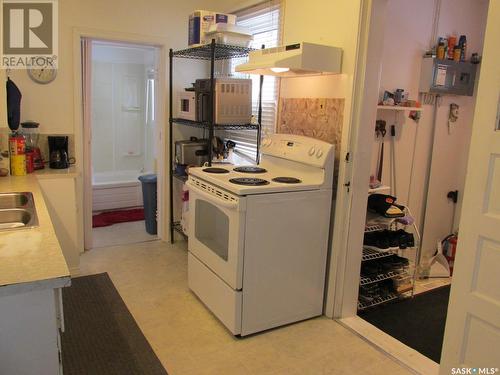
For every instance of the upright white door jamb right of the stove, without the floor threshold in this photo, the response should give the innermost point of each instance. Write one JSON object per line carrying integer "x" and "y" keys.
{"x": 350, "y": 210}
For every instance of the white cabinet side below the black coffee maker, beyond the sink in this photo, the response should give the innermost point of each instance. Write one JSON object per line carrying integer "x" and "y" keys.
{"x": 60, "y": 198}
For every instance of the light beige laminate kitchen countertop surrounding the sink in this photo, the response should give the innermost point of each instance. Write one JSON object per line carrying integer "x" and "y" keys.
{"x": 31, "y": 259}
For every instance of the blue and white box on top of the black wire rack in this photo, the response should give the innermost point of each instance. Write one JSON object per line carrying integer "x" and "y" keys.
{"x": 201, "y": 20}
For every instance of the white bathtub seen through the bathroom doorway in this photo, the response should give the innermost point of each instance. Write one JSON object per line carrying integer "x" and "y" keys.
{"x": 117, "y": 189}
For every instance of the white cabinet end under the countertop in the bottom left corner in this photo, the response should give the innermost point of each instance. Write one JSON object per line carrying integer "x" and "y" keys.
{"x": 30, "y": 324}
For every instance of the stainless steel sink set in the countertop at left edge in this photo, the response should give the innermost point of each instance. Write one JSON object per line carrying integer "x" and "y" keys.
{"x": 17, "y": 211}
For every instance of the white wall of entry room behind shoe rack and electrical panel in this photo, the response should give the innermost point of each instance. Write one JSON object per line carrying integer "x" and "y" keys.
{"x": 407, "y": 37}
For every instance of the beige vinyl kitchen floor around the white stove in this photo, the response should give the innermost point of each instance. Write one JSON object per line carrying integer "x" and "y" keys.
{"x": 151, "y": 277}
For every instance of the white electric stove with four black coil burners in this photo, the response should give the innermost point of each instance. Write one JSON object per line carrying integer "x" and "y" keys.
{"x": 258, "y": 235}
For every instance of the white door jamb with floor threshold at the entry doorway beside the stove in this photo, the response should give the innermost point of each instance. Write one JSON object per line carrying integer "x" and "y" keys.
{"x": 345, "y": 265}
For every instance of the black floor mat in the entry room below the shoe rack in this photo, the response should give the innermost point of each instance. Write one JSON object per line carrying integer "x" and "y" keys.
{"x": 417, "y": 322}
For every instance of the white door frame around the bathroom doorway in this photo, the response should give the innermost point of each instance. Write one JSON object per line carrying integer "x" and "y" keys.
{"x": 83, "y": 135}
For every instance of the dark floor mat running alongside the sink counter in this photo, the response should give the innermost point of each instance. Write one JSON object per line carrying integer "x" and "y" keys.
{"x": 101, "y": 336}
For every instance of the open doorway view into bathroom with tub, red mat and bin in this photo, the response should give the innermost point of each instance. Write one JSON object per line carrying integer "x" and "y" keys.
{"x": 123, "y": 116}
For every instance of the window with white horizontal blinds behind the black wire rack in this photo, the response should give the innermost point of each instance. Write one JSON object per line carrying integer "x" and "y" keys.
{"x": 264, "y": 21}
